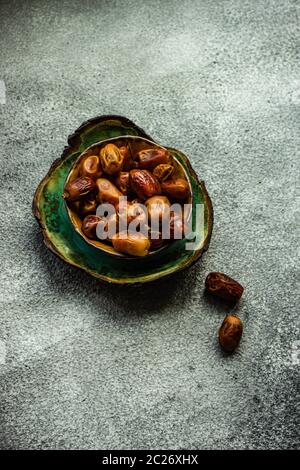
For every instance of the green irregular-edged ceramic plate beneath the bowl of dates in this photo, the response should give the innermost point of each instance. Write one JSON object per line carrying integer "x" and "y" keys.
{"x": 61, "y": 237}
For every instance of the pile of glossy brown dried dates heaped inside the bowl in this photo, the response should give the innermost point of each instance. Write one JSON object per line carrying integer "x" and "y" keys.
{"x": 141, "y": 185}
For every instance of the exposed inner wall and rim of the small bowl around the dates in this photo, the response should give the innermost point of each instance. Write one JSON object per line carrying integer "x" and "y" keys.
{"x": 135, "y": 145}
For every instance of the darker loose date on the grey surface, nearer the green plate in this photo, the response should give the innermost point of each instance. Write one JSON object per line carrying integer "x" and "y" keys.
{"x": 223, "y": 286}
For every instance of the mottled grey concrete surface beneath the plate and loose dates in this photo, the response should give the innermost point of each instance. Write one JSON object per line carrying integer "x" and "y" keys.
{"x": 89, "y": 366}
